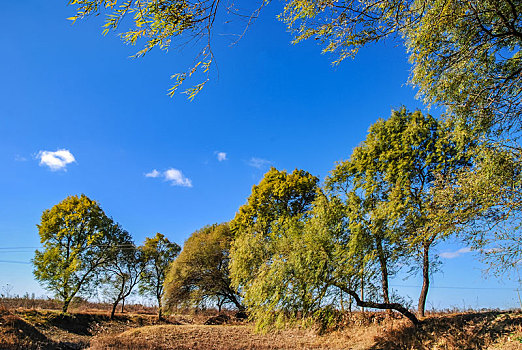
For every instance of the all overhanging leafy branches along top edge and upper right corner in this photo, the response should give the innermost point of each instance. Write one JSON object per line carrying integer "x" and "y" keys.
{"x": 465, "y": 54}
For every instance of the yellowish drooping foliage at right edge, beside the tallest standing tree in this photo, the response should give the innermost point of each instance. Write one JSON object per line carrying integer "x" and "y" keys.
{"x": 484, "y": 204}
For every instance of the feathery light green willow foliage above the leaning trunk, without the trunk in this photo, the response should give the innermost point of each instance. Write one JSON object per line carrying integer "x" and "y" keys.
{"x": 296, "y": 282}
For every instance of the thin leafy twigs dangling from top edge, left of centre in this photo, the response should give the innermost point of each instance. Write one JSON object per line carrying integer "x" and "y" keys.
{"x": 164, "y": 24}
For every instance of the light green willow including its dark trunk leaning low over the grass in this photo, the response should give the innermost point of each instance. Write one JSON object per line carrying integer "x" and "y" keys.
{"x": 315, "y": 264}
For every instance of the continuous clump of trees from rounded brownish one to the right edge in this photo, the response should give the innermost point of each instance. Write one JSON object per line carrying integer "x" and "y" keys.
{"x": 297, "y": 250}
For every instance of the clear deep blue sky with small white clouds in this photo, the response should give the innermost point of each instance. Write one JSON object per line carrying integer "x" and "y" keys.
{"x": 66, "y": 87}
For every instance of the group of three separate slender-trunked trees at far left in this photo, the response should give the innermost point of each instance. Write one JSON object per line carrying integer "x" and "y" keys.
{"x": 85, "y": 250}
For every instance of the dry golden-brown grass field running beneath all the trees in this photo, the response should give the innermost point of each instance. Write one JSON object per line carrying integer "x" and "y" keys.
{"x": 92, "y": 329}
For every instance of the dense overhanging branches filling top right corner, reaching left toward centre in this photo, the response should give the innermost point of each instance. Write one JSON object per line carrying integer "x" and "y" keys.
{"x": 465, "y": 54}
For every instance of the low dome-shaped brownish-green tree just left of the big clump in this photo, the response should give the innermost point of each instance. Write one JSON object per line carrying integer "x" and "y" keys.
{"x": 200, "y": 274}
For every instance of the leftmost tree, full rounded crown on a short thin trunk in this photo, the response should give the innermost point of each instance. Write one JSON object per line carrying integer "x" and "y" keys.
{"x": 78, "y": 239}
